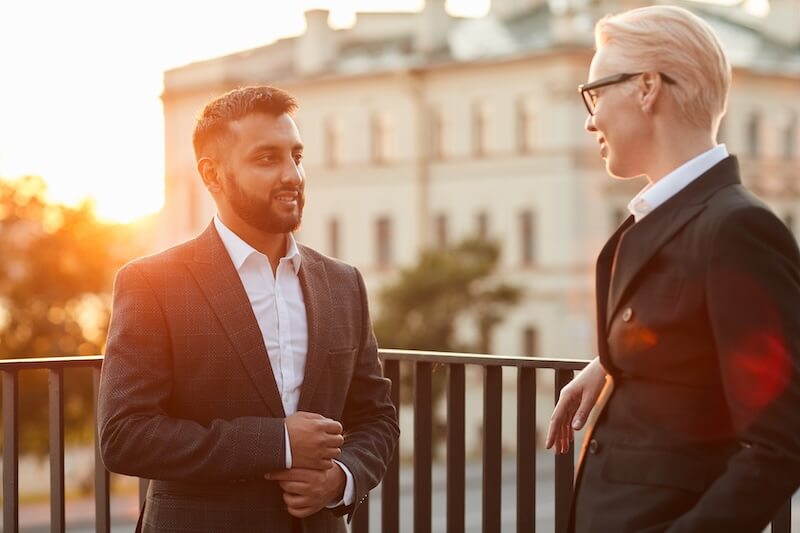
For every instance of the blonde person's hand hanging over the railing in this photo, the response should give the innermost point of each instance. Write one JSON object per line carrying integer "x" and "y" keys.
{"x": 574, "y": 404}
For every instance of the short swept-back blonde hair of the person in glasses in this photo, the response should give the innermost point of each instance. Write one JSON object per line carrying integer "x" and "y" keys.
{"x": 675, "y": 42}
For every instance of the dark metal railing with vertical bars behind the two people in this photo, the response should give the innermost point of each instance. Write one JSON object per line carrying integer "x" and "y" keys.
{"x": 422, "y": 364}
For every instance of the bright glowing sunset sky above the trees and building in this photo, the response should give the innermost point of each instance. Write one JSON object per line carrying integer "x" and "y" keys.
{"x": 80, "y": 83}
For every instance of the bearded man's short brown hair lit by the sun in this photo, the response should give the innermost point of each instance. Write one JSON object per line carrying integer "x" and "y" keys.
{"x": 212, "y": 124}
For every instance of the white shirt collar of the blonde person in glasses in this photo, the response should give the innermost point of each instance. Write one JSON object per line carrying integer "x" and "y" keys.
{"x": 655, "y": 194}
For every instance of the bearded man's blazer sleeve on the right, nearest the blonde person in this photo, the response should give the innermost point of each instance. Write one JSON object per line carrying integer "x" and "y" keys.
{"x": 369, "y": 418}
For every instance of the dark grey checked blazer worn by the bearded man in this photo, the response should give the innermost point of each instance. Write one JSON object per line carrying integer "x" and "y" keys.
{"x": 188, "y": 398}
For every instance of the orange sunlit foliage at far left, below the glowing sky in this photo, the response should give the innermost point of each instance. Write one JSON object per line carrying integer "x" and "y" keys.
{"x": 56, "y": 273}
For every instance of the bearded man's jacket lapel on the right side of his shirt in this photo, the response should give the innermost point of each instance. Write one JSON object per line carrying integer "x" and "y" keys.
{"x": 319, "y": 311}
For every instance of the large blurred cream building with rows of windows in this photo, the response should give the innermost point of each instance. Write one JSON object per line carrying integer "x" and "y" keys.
{"x": 422, "y": 129}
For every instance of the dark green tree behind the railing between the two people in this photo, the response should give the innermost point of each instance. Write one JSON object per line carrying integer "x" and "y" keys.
{"x": 447, "y": 289}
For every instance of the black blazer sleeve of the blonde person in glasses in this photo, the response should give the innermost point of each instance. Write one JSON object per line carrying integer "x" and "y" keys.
{"x": 753, "y": 296}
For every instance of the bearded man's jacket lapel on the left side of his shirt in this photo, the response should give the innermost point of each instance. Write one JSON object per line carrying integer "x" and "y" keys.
{"x": 219, "y": 281}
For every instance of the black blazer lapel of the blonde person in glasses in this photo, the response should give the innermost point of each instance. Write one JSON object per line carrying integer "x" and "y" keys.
{"x": 642, "y": 240}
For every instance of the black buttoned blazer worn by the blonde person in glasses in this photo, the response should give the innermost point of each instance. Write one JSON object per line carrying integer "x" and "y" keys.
{"x": 698, "y": 316}
